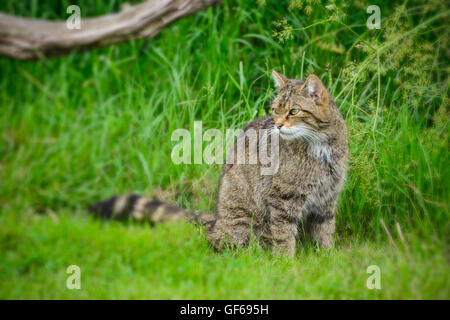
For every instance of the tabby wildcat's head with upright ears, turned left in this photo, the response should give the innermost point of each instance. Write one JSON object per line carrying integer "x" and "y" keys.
{"x": 301, "y": 109}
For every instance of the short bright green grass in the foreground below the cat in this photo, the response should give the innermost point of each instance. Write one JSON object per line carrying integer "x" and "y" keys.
{"x": 174, "y": 262}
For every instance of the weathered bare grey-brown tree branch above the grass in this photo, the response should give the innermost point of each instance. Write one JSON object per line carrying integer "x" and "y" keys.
{"x": 26, "y": 39}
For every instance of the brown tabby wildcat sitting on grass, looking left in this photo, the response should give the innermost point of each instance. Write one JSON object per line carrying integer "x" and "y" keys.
{"x": 298, "y": 200}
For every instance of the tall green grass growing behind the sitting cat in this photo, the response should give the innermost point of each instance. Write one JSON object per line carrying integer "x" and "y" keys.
{"x": 79, "y": 128}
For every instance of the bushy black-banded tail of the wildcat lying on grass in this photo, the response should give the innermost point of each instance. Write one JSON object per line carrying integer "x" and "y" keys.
{"x": 140, "y": 208}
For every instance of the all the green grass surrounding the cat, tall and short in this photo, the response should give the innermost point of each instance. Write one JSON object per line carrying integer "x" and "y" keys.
{"x": 80, "y": 128}
